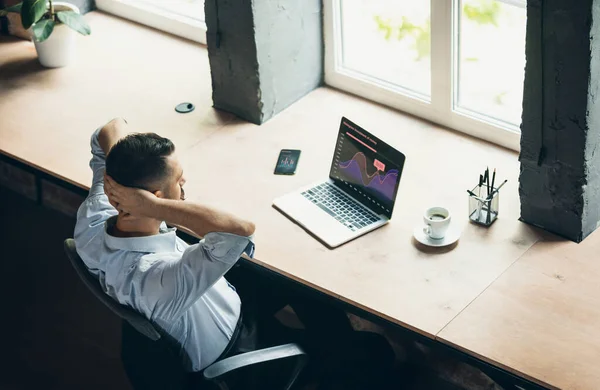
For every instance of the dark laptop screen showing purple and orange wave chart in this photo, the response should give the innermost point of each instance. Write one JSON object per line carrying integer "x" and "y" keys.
{"x": 358, "y": 163}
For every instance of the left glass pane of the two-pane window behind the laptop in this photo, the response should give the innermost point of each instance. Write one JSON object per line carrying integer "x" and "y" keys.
{"x": 391, "y": 45}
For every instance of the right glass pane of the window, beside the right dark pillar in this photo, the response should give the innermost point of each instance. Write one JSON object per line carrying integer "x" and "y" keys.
{"x": 491, "y": 59}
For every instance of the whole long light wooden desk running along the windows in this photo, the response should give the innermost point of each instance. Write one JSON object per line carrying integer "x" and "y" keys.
{"x": 466, "y": 296}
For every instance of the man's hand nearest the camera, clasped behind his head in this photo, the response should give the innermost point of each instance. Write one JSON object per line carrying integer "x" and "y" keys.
{"x": 132, "y": 201}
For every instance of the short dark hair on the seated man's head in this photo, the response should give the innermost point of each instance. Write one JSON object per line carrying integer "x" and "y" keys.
{"x": 140, "y": 160}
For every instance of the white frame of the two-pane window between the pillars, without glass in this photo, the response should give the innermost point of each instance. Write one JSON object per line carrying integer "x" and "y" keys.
{"x": 440, "y": 108}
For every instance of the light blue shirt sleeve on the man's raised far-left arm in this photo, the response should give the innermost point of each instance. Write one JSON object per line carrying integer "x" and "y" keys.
{"x": 96, "y": 208}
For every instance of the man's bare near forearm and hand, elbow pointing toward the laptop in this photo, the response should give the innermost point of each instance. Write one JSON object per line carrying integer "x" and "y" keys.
{"x": 198, "y": 218}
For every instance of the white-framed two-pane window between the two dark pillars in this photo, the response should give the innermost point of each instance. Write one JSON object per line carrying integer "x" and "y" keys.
{"x": 459, "y": 63}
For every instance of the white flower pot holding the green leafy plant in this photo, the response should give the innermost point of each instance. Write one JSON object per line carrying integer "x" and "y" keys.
{"x": 60, "y": 47}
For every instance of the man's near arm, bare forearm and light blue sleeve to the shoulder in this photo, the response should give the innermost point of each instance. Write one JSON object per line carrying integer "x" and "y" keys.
{"x": 171, "y": 287}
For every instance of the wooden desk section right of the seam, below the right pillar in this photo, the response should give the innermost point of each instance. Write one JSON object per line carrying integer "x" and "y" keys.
{"x": 540, "y": 318}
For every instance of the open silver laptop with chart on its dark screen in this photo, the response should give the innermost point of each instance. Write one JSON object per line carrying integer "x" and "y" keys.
{"x": 359, "y": 195}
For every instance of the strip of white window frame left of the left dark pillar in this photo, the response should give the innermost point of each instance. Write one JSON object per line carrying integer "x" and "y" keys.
{"x": 135, "y": 10}
